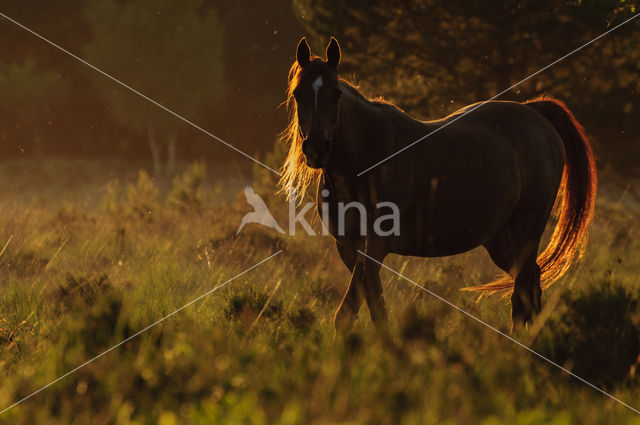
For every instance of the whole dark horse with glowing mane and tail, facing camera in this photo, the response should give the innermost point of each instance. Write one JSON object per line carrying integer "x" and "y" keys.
{"x": 490, "y": 176}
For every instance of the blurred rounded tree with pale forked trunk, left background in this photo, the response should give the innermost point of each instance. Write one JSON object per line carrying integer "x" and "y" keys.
{"x": 169, "y": 51}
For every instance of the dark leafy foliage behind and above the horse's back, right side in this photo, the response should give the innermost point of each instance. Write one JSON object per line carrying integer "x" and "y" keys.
{"x": 433, "y": 56}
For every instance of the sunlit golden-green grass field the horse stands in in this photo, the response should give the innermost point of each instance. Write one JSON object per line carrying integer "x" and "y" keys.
{"x": 94, "y": 252}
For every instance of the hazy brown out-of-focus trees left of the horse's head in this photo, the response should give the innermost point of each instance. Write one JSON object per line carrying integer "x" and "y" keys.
{"x": 220, "y": 64}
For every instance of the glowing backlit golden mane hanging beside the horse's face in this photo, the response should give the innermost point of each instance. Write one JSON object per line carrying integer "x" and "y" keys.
{"x": 296, "y": 175}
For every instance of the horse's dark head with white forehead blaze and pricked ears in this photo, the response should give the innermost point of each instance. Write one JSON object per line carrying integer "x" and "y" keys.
{"x": 317, "y": 95}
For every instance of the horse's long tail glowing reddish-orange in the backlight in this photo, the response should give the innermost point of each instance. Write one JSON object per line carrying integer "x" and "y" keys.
{"x": 575, "y": 202}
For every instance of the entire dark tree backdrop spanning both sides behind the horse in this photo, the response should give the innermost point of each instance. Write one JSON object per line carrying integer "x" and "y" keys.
{"x": 223, "y": 64}
